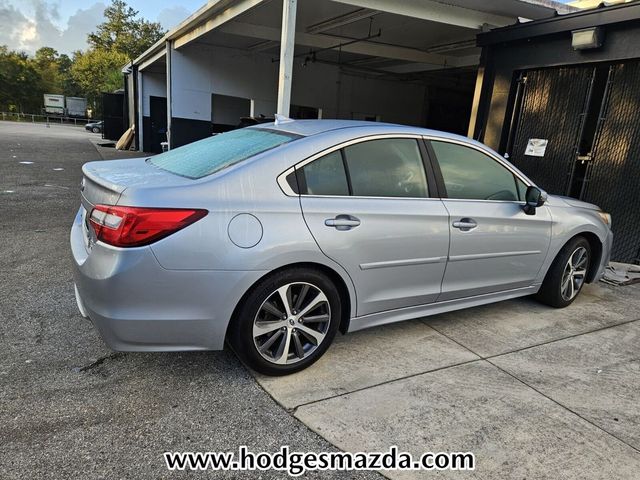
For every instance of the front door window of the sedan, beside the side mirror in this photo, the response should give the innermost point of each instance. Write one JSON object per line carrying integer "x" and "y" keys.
{"x": 471, "y": 174}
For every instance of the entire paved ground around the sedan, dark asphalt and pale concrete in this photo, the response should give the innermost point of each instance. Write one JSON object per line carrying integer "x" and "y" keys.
{"x": 533, "y": 392}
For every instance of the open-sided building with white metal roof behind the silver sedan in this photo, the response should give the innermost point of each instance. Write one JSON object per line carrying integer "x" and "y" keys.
{"x": 411, "y": 62}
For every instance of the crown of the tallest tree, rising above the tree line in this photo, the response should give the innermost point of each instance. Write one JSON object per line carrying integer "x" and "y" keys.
{"x": 123, "y": 32}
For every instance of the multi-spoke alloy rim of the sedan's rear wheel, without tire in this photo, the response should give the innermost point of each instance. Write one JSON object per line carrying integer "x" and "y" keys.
{"x": 291, "y": 323}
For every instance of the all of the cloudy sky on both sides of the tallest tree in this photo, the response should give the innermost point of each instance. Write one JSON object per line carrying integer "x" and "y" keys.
{"x": 64, "y": 24}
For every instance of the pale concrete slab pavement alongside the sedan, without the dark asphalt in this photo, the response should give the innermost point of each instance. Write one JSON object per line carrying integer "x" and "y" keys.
{"x": 534, "y": 392}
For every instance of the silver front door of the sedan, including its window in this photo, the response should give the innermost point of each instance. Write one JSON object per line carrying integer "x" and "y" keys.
{"x": 495, "y": 246}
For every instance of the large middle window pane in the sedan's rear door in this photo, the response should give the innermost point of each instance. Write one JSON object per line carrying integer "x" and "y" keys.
{"x": 386, "y": 168}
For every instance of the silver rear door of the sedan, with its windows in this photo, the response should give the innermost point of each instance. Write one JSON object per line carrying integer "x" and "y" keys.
{"x": 368, "y": 207}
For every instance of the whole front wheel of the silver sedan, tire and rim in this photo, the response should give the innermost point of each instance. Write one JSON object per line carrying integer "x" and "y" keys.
{"x": 564, "y": 281}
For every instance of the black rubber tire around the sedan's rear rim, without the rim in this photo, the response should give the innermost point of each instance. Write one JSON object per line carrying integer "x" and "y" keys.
{"x": 242, "y": 334}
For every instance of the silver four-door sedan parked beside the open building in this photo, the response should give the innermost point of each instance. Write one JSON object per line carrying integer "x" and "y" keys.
{"x": 277, "y": 236}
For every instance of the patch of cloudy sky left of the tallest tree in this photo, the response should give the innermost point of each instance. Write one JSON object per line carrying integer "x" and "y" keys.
{"x": 41, "y": 28}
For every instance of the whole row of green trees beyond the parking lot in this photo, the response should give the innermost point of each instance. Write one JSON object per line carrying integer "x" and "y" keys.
{"x": 117, "y": 41}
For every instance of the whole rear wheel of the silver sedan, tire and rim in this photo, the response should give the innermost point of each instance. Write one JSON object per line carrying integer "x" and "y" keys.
{"x": 306, "y": 337}
